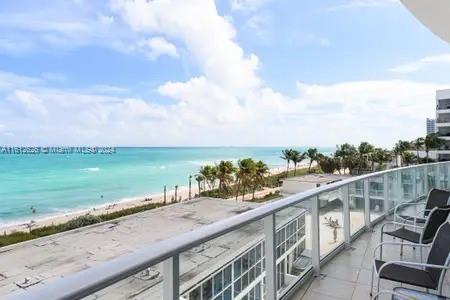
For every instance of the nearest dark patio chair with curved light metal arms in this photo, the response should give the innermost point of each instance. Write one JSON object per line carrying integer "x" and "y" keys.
{"x": 429, "y": 275}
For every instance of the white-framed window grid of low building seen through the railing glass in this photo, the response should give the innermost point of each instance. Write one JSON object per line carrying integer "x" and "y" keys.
{"x": 244, "y": 277}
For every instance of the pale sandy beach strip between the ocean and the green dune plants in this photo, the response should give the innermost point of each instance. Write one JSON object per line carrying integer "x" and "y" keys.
{"x": 182, "y": 195}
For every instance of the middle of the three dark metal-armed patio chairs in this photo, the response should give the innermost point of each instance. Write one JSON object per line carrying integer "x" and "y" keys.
{"x": 436, "y": 217}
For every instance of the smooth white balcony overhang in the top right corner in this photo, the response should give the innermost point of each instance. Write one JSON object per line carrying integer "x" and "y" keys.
{"x": 434, "y": 14}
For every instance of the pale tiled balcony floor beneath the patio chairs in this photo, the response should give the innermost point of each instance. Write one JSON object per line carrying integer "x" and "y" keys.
{"x": 348, "y": 275}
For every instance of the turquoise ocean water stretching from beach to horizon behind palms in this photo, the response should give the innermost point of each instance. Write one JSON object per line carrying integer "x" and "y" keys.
{"x": 60, "y": 183}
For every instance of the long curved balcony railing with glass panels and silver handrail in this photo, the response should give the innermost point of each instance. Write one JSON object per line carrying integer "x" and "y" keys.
{"x": 264, "y": 253}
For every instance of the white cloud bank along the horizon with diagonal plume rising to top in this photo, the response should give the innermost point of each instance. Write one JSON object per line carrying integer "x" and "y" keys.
{"x": 227, "y": 103}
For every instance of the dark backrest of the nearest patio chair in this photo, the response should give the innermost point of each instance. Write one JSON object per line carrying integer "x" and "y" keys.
{"x": 439, "y": 252}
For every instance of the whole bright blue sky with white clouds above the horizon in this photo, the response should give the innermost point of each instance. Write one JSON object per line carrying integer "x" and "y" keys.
{"x": 229, "y": 72}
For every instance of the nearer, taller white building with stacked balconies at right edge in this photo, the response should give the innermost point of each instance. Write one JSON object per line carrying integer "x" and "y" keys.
{"x": 443, "y": 121}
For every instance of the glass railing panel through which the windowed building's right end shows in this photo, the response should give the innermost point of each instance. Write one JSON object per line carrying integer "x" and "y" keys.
{"x": 293, "y": 245}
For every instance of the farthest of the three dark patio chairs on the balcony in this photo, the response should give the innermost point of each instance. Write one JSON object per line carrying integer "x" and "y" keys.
{"x": 435, "y": 198}
